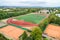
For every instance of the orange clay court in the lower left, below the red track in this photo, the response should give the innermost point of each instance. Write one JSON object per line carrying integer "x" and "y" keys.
{"x": 12, "y": 32}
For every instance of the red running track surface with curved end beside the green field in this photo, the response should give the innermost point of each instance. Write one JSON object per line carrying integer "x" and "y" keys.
{"x": 21, "y": 23}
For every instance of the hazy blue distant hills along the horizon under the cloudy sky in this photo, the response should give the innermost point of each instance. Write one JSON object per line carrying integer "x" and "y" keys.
{"x": 26, "y": 7}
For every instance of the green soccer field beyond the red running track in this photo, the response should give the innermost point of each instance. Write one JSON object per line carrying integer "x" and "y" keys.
{"x": 31, "y": 18}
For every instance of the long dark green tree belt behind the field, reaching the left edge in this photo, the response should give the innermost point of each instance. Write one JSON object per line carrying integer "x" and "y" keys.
{"x": 16, "y": 12}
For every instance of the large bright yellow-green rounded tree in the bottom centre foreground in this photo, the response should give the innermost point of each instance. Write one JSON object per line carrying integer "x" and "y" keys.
{"x": 36, "y": 34}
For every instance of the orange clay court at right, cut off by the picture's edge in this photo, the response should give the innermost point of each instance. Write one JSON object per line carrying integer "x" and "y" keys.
{"x": 53, "y": 31}
